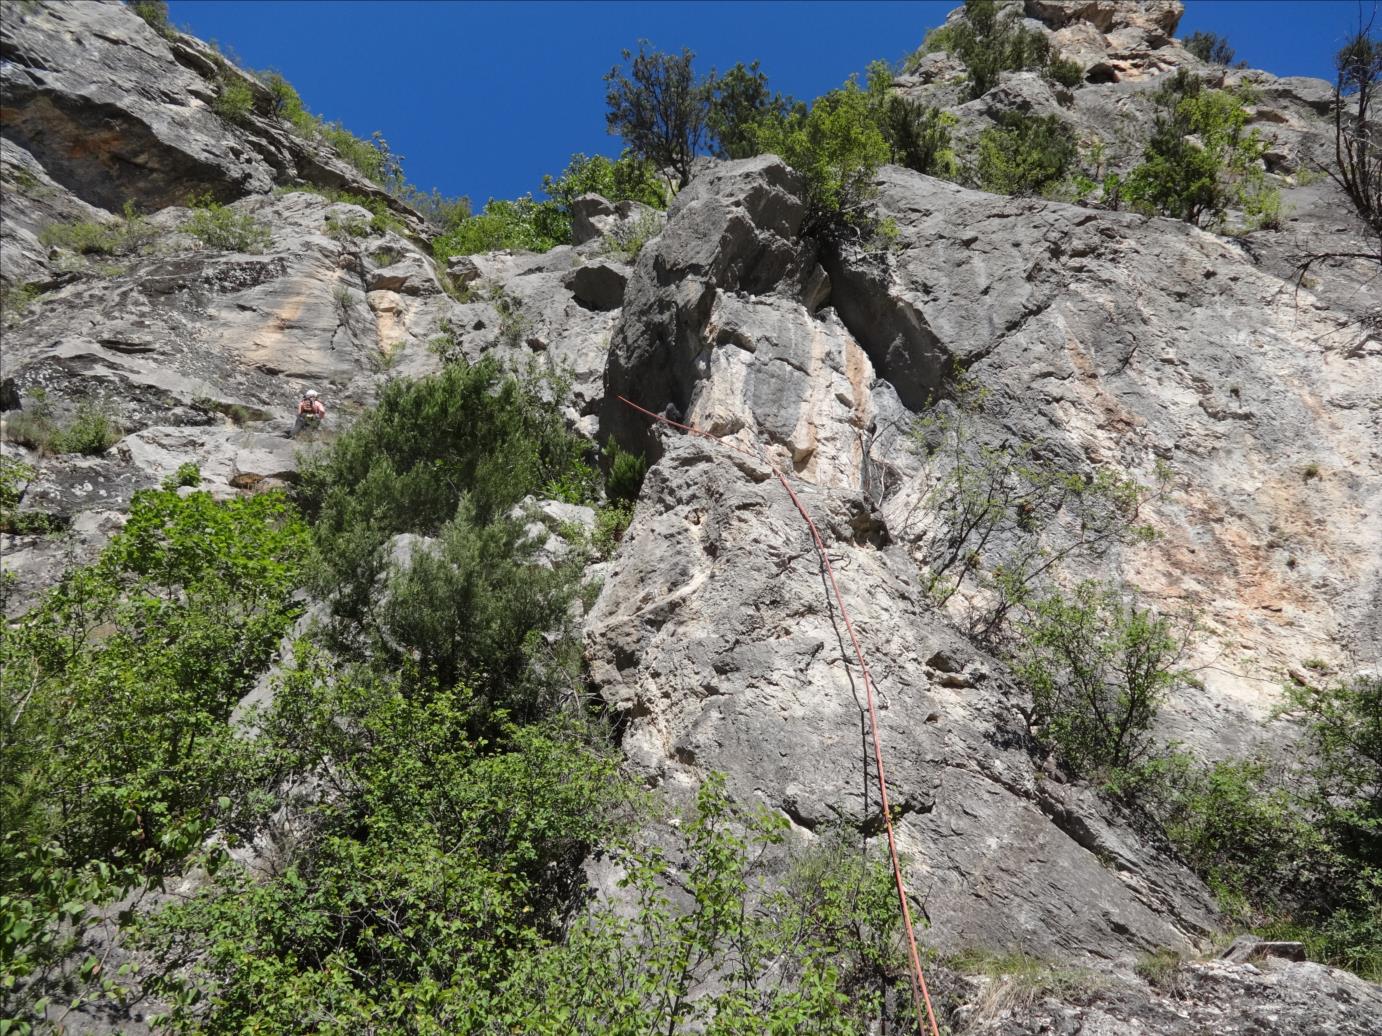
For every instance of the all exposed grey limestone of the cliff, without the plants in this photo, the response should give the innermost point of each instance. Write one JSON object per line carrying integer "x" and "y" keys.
{"x": 1116, "y": 339}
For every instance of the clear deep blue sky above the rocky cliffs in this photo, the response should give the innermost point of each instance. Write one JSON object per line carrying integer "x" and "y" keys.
{"x": 483, "y": 99}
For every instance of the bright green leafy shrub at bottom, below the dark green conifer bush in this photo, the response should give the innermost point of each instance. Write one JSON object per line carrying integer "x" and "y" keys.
{"x": 437, "y": 864}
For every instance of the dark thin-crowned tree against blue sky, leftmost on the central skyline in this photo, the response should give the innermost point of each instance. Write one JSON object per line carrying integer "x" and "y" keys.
{"x": 659, "y": 107}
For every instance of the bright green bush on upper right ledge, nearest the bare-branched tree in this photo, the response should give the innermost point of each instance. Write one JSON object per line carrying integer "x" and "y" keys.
{"x": 1202, "y": 160}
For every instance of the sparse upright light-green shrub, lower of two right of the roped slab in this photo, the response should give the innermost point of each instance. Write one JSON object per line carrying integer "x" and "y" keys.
{"x": 1099, "y": 668}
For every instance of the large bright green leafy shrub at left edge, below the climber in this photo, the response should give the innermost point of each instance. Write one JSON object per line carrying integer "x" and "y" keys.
{"x": 113, "y": 716}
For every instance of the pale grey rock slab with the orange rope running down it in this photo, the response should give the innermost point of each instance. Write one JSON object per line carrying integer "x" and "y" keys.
{"x": 717, "y": 640}
